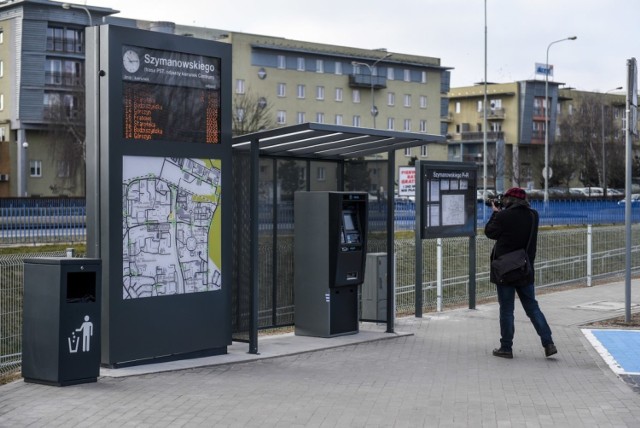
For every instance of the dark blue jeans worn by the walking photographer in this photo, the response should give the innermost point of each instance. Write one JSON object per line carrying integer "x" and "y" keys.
{"x": 527, "y": 295}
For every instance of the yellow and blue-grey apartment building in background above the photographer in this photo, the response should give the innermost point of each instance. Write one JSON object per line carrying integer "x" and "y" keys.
{"x": 516, "y": 114}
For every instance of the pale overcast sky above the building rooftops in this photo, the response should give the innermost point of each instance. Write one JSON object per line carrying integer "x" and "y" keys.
{"x": 518, "y": 31}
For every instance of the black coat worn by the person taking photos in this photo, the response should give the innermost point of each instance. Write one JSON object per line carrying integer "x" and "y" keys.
{"x": 510, "y": 228}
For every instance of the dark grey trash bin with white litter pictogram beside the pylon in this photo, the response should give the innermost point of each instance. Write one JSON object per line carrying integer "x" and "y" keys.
{"x": 61, "y": 321}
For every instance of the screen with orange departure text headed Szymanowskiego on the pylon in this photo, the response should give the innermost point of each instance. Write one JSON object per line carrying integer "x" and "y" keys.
{"x": 169, "y": 96}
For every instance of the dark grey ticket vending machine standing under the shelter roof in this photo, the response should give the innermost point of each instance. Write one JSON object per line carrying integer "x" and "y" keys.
{"x": 329, "y": 259}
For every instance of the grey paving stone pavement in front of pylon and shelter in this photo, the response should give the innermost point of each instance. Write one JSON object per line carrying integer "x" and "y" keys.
{"x": 439, "y": 373}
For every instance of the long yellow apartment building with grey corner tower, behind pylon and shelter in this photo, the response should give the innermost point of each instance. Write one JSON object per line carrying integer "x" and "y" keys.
{"x": 42, "y": 91}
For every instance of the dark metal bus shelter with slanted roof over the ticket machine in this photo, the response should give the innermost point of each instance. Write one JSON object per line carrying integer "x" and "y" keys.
{"x": 262, "y": 289}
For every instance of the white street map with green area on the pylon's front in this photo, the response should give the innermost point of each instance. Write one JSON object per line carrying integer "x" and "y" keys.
{"x": 171, "y": 235}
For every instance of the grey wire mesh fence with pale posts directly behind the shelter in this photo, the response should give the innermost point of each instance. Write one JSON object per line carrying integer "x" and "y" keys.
{"x": 562, "y": 258}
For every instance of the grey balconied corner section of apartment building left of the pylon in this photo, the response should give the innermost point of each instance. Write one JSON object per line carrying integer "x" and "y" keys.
{"x": 42, "y": 96}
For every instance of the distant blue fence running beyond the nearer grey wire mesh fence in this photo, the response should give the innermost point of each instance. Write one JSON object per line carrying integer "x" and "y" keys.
{"x": 52, "y": 220}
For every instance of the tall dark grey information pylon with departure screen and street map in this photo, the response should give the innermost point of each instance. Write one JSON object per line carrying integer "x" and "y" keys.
{"x": 158, "y": 154}
